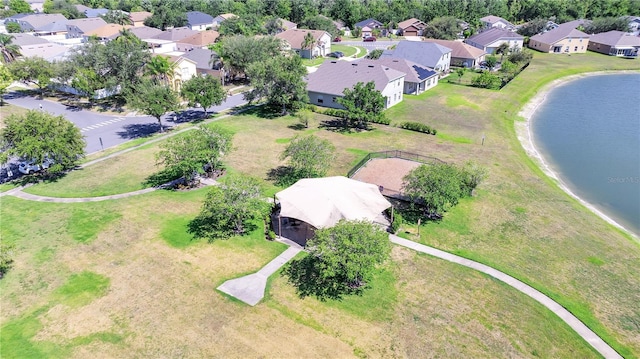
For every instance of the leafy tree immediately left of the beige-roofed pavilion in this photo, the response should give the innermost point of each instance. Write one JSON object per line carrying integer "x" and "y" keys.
{"x": 230, "y": 209}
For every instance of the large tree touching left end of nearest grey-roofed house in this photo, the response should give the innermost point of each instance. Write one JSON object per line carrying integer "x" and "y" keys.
{"x": 280, "y": 80}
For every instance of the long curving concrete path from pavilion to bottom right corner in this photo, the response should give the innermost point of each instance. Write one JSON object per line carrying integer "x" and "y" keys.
{"x": 592, "y": 338}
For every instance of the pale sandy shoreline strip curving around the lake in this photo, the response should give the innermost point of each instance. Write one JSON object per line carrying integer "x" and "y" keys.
{"x": 524, "y": 135}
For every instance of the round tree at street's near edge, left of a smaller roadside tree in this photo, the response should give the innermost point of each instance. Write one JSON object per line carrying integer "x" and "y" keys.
{"x": 153, "y": 99}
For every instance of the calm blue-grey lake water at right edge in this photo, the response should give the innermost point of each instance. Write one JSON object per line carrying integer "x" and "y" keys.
{"x": 588, "y": 132}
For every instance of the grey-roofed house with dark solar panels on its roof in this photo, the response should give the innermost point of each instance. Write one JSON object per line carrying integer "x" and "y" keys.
{"x": 418, "y": 78}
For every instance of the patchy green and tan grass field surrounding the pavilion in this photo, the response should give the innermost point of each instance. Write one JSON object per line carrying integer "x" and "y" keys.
{"x": 123, "y": 278}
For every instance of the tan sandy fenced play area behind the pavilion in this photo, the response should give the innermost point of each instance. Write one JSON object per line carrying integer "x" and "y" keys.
{"x": 386, "y": 172}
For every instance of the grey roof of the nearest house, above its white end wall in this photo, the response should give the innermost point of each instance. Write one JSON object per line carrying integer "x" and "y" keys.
{"x": 332, "y": 77}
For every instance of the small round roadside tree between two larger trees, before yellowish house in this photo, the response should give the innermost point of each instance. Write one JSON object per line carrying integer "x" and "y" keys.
{"x": 204, "y": 91}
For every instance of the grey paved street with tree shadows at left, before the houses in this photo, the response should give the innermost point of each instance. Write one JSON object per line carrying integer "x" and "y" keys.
{"x": 114, "y": 130}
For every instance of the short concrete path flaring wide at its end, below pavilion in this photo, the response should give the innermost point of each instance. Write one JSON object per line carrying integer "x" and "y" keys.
{"x": 250, "y": 288}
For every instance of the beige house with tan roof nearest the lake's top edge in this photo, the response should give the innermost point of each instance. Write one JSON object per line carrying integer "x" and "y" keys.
{"x": 563, "y": 39}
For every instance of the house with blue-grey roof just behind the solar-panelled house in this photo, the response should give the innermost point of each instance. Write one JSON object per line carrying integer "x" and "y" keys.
{"x": 427, "y": 54}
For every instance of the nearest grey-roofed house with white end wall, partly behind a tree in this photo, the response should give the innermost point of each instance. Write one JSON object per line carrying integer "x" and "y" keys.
{"x": 328, "y": 83}
